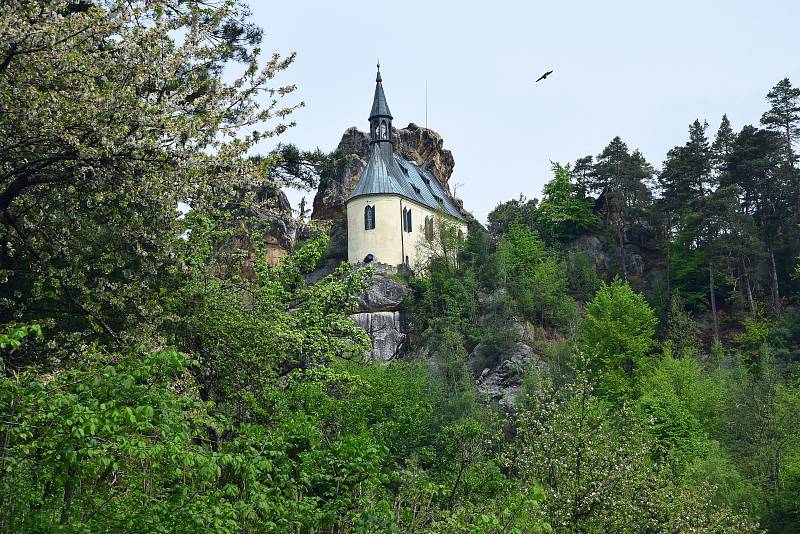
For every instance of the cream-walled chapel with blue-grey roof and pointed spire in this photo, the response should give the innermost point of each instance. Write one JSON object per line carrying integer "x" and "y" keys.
{"x": 397, "y": 209}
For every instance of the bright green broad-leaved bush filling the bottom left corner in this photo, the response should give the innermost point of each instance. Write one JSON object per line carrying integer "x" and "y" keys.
{"x": 122, "y": 433}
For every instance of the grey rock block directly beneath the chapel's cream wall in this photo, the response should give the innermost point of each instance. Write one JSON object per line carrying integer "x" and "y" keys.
{"x": 381, "y": 315}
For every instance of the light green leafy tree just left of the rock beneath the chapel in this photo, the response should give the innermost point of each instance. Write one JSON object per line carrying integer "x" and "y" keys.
{"x": 247, "y": 333}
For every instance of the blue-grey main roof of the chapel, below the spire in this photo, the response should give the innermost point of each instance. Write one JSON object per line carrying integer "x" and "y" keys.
{"x": 397, "y": 176}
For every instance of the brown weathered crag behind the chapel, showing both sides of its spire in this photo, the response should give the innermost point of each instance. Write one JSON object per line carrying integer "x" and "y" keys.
{"x": 414, "y": 143}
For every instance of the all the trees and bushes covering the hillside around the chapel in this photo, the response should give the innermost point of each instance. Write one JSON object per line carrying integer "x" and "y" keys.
{"x": 161, "y": 373}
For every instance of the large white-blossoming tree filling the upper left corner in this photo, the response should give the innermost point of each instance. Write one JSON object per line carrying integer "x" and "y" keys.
{"x": 106, "y": 146}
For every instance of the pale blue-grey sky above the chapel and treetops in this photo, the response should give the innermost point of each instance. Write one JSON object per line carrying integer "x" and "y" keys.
{"x": 638, "y": 69}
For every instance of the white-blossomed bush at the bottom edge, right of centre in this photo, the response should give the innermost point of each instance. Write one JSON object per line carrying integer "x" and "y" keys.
{"x": 598, "y": 473}
